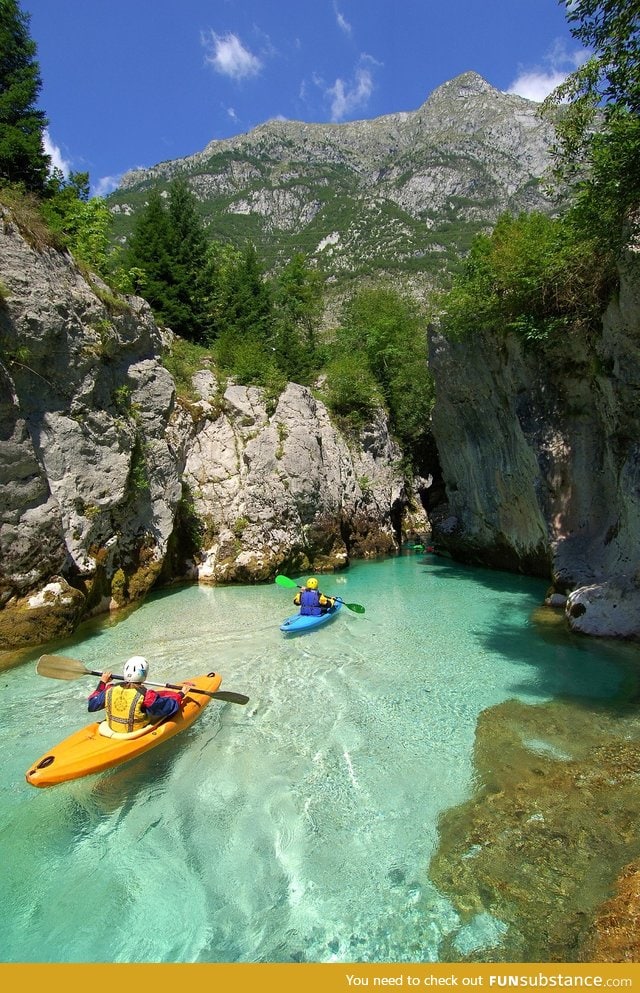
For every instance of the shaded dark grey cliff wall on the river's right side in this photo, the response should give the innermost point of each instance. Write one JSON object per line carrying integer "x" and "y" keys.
{"x": 541, "y": 462}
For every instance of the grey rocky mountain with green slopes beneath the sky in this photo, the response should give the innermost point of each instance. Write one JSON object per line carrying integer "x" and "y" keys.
{"x": 403, "y": 193}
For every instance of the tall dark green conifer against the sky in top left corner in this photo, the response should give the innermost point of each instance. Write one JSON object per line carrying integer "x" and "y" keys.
{"x": 22, "y": 156}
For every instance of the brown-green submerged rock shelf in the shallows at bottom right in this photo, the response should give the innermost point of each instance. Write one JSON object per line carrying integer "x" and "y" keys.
{"x": 552, "y": 827}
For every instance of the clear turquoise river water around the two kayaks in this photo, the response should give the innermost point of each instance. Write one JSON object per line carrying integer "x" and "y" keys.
{"x": 299, "y": 827}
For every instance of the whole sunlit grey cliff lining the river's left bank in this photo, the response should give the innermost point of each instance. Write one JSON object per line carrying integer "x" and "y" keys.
{"x": 109, "y": 484}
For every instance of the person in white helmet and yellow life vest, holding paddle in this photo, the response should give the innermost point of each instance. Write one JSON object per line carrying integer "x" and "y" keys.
{"x": 131, "y": 705}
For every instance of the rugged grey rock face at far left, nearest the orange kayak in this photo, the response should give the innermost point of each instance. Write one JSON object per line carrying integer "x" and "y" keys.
{"x": 89, "y": 483}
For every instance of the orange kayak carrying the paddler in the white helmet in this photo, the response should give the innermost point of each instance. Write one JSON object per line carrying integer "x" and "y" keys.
{"x": 89, "y": 750}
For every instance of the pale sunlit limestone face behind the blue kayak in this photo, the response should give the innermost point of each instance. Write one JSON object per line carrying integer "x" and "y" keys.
{"x": 286, "y": 491}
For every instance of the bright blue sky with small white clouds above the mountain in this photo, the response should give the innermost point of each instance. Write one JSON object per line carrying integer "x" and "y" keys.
{"x": 130, "y": 83}
